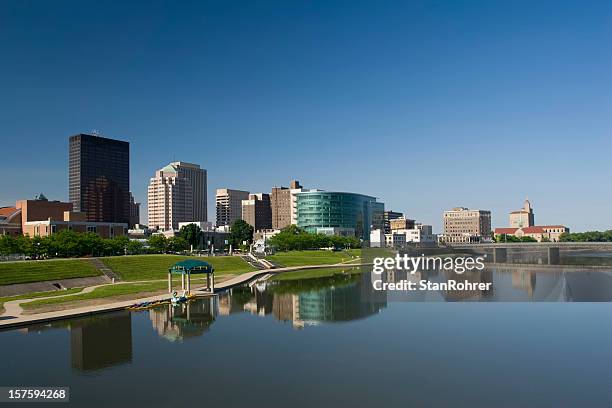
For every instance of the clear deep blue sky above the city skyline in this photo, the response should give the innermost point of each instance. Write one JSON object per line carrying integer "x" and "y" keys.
{"x": 427, "y": 105}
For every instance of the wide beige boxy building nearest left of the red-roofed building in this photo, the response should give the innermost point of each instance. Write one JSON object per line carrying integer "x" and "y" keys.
{"x": 462, "y": 225}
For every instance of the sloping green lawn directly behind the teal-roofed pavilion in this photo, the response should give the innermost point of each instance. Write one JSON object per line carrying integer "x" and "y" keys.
{"x": 149, "y": 267}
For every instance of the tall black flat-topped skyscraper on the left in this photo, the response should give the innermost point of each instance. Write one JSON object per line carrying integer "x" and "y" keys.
{"x": 99, "y": 176}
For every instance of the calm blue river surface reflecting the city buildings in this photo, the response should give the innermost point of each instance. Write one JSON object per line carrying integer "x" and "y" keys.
{"x": 334, "y": 341}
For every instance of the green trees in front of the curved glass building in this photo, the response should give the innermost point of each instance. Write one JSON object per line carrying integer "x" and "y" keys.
{"x": 294, "y": 238}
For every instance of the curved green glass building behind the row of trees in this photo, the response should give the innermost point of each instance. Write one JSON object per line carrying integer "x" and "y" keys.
{"x": 338, "y": 213}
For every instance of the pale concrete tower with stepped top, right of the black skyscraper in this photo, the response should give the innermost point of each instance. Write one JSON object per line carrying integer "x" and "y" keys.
{"x": 170, "y": 198}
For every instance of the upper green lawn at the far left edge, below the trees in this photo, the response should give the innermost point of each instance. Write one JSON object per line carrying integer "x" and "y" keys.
{"x": 36, "y": 271}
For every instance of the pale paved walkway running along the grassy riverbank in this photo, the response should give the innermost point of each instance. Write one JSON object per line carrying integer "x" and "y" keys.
{"x": 16, "y": 319}
